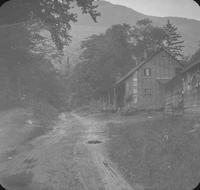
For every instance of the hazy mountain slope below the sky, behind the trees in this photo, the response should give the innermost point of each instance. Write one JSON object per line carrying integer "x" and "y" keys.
{"x": 117, "y": 14}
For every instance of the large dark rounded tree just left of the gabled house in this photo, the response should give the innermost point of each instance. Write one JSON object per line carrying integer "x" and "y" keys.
{"x": 104, "y": 57}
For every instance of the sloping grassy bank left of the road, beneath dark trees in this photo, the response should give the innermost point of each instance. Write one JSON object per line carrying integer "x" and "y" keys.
{"x": 20, "y": 126}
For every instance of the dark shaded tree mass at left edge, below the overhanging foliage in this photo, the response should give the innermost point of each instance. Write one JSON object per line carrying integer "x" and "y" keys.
{"x": 29, "y": 73}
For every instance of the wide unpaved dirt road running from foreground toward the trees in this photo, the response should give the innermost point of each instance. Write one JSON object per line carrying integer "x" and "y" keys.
{"x": 70, "y": 157}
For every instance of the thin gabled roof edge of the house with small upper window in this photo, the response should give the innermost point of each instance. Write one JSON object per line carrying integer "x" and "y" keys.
{"x": 146, "y": 61}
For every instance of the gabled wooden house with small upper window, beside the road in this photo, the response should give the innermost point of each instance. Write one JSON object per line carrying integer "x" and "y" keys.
{"x": 144, "y": 86}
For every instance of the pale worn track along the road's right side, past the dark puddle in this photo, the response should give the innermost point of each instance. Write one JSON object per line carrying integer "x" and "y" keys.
{"x": 95, "y": 131}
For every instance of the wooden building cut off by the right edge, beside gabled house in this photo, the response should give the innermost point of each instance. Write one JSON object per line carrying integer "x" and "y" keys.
{"x": 183, "y": 92}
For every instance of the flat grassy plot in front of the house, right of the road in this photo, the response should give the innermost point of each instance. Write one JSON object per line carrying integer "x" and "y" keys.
{"x": 159, "y": 154}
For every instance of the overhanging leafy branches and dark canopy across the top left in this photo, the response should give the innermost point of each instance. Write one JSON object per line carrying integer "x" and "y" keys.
{"x": 56, "y": 15}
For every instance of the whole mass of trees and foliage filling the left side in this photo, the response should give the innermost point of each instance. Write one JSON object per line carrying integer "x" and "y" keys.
{"x": 32, "y": 41}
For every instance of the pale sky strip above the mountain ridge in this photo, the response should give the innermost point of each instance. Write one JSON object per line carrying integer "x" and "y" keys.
{"x": 179, "y": 8}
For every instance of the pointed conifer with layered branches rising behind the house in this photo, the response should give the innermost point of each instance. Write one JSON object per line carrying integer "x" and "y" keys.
{"x": 173, "y": 41}
